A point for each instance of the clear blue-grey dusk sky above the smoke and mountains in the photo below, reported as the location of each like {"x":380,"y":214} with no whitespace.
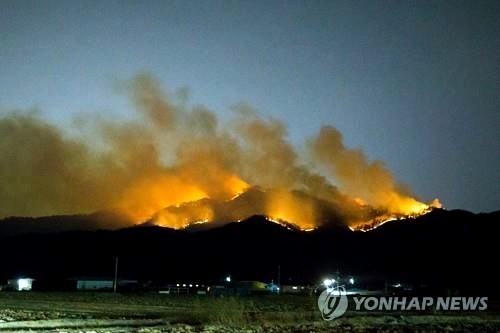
{"x":415,"y":84}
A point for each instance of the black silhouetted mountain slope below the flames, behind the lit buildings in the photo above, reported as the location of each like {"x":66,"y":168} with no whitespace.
{"x":441,"y":248}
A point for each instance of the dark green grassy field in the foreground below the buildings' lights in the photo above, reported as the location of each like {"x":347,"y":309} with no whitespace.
{"x":150,"y":312}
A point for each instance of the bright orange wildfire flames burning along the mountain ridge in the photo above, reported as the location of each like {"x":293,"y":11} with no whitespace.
{"x":288,"y":209}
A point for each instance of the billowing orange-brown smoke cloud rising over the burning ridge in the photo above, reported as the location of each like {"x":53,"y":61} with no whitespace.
{"x":178,"y":165}
